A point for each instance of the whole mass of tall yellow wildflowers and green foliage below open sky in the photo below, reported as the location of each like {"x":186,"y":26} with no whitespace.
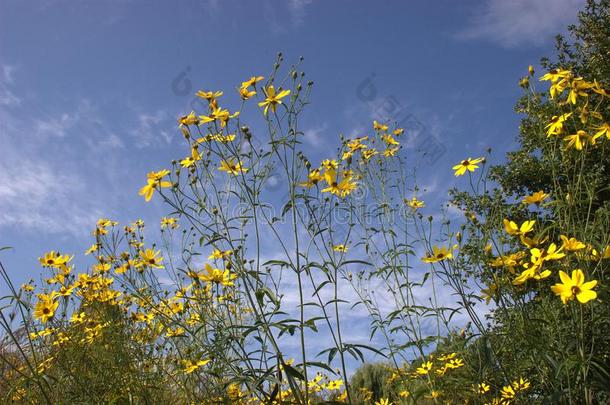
{"x":244,"y":273}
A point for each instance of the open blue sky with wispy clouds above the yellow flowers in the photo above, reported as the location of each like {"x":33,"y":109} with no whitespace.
{"x":90,"y":91}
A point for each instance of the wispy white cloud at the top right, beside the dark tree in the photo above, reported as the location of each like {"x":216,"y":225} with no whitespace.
{"x":521,"y":22}
